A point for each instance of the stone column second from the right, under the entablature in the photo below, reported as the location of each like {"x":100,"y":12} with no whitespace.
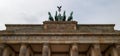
{"x":95,"y":50}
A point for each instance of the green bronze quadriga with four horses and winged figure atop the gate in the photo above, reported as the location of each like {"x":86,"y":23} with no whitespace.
{"x":59,"y":17}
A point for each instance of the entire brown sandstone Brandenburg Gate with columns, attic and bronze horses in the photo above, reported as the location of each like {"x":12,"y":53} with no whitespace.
{"x":58,"y":37}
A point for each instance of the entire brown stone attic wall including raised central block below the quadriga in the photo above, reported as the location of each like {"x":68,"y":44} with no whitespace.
{"x":63,"y":26}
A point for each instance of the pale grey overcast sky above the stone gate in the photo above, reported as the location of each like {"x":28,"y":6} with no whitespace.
{"x":36,"y":11}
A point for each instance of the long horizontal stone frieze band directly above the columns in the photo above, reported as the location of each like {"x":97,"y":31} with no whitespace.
{"x":60,"y":39}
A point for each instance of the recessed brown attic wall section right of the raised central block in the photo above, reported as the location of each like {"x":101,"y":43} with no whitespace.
{"x":96,"y":27}
